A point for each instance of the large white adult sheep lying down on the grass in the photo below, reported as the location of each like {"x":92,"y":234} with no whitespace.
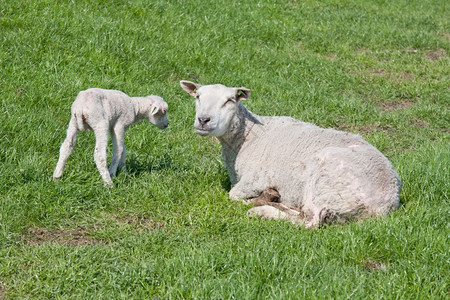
{"x":291,"y":169}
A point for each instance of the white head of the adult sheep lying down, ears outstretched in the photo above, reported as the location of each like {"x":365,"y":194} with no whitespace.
{"x":215,"y":107}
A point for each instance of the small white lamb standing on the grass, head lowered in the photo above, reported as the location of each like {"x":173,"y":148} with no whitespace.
{"x":105,"y":111}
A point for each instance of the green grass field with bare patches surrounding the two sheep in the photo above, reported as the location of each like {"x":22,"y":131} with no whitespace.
{"x":167,"y":230}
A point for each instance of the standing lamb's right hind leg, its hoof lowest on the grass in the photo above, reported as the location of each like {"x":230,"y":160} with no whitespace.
{"x":101,"y":142}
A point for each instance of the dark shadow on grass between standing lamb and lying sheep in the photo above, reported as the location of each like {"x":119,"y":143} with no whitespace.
{"x":138,"y":165}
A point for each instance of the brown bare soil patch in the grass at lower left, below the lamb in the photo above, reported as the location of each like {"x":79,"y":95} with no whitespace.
{"x":75,"y":237}
